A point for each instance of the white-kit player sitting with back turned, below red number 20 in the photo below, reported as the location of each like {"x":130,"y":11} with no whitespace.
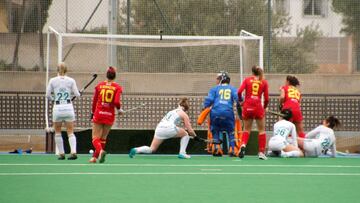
{"x":284,"y":140}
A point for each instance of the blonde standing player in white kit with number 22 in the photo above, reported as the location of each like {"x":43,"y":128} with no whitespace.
{"x":63,"y":87}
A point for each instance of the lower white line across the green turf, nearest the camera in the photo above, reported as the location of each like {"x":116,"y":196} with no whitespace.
{"x":184,"y":173}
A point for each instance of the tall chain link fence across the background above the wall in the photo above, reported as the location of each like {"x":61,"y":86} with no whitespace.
{"x":300,"y":36}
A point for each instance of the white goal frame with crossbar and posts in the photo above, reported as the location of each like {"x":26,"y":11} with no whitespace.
{"x":241,"y":43}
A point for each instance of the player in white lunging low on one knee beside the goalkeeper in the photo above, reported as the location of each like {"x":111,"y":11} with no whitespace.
{"x":169,"y":128}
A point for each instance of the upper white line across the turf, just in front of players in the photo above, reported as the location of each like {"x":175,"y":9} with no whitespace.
{"x":186,"y":165}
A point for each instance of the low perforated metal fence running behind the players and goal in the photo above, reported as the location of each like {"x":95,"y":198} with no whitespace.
{"x":25,"y":110}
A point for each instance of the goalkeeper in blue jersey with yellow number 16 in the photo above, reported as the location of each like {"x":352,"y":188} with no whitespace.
{"x":221,"y":99}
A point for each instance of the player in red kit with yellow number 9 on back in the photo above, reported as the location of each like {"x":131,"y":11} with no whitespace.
{"x":255,"y":86}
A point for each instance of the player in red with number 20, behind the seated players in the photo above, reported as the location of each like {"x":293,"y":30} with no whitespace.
{"x":290,"y":98}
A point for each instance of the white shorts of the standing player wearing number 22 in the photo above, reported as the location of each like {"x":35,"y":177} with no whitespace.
{"x":63,"y":112}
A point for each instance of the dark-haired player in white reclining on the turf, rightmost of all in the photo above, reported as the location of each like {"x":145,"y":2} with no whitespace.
{"x":321,"y":139}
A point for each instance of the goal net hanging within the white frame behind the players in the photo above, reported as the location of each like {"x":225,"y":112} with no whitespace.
{"x":155,"y":64}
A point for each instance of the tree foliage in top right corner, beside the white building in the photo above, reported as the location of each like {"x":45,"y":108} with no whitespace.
{"x":350,"y":10}
